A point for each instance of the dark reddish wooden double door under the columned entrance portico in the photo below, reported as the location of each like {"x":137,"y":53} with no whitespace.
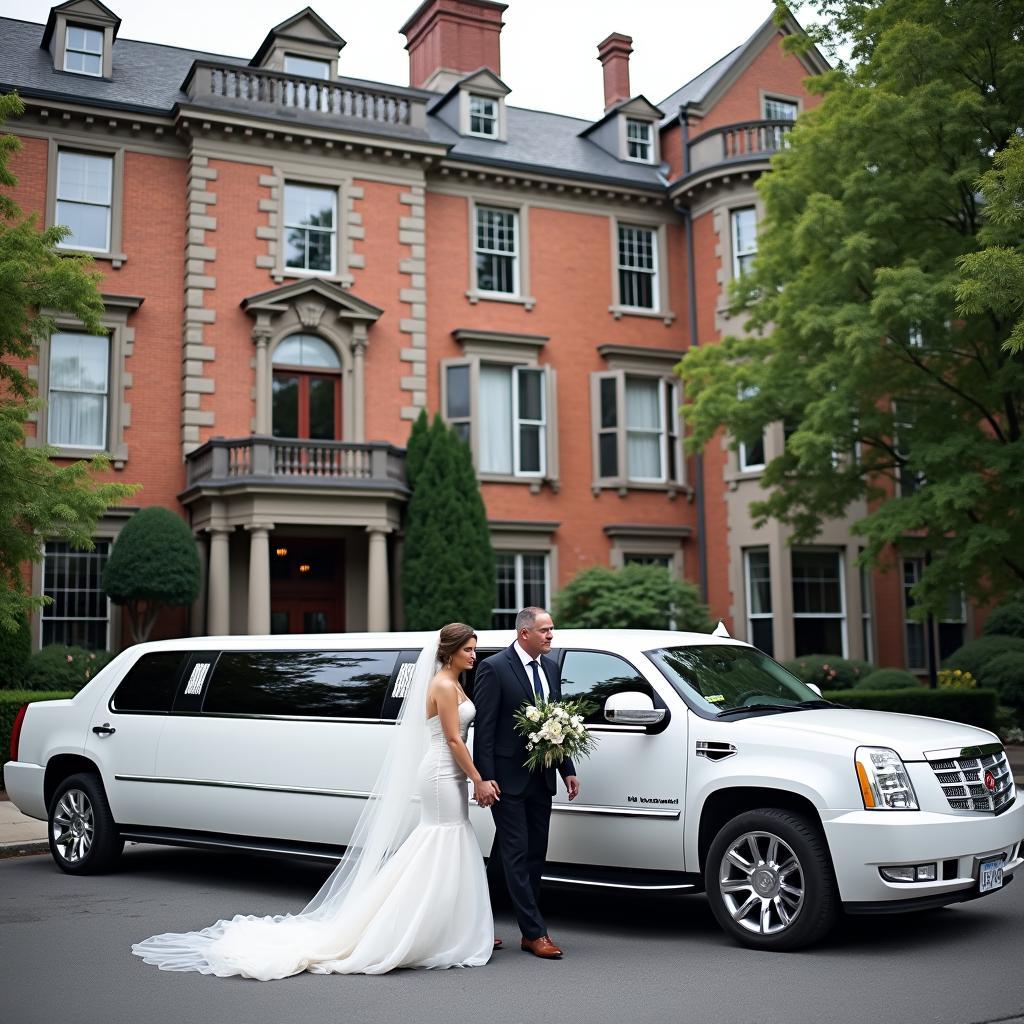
{"x":308,"y":586}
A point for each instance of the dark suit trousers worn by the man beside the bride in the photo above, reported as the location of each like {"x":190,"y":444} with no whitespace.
{"x":522,"y":839}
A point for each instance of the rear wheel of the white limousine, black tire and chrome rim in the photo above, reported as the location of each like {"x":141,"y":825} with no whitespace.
{"x":83,"y":835}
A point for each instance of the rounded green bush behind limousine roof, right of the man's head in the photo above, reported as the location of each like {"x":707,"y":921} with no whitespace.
{"x":636,"y":598}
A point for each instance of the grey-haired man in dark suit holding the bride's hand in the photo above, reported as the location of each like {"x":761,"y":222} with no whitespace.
{"x":504,"y":684}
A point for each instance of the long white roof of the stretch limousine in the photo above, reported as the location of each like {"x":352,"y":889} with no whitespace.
{"x":612,"y":641}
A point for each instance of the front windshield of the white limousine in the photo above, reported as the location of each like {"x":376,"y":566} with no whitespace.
{"x":724,"y":678}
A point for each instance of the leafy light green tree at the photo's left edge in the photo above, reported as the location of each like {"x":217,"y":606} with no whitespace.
{"x":38,"y":498}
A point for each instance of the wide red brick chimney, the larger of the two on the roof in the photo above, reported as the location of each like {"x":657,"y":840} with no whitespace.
{"x":447,"y":39}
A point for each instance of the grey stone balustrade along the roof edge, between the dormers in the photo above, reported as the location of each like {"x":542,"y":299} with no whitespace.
{"x":277,"y":93}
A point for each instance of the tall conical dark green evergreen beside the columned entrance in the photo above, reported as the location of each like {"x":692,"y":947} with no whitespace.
{"x":448,"y":572}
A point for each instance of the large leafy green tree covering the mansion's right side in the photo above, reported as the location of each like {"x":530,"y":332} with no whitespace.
{"x":887,"y":394}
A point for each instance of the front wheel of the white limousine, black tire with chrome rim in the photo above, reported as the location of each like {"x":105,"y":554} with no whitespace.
{"x":789,"y":893}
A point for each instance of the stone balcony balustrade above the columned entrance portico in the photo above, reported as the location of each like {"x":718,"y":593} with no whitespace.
{"x":295,"y":462}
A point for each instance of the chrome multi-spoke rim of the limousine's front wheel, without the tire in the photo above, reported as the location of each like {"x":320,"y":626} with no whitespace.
{"x":762,"y":883}
